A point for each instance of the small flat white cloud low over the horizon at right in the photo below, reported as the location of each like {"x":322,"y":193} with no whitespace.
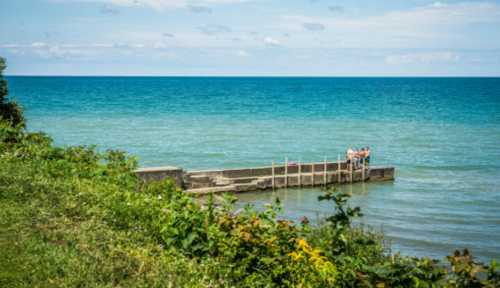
{"x":423,"y":58}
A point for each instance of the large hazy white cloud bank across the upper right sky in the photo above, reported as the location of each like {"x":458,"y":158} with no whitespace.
{"x":434,"y":26}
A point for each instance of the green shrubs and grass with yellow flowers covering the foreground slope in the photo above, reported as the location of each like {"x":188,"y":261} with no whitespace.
{"x":73,"y":217}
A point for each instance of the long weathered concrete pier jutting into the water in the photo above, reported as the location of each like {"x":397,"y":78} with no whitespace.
{"x":271,"y":177}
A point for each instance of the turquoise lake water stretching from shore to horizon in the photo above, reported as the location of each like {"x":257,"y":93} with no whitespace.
{"x":442,"y":135}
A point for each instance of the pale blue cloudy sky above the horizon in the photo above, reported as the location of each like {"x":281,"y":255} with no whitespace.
{"x":251,"y":37}
